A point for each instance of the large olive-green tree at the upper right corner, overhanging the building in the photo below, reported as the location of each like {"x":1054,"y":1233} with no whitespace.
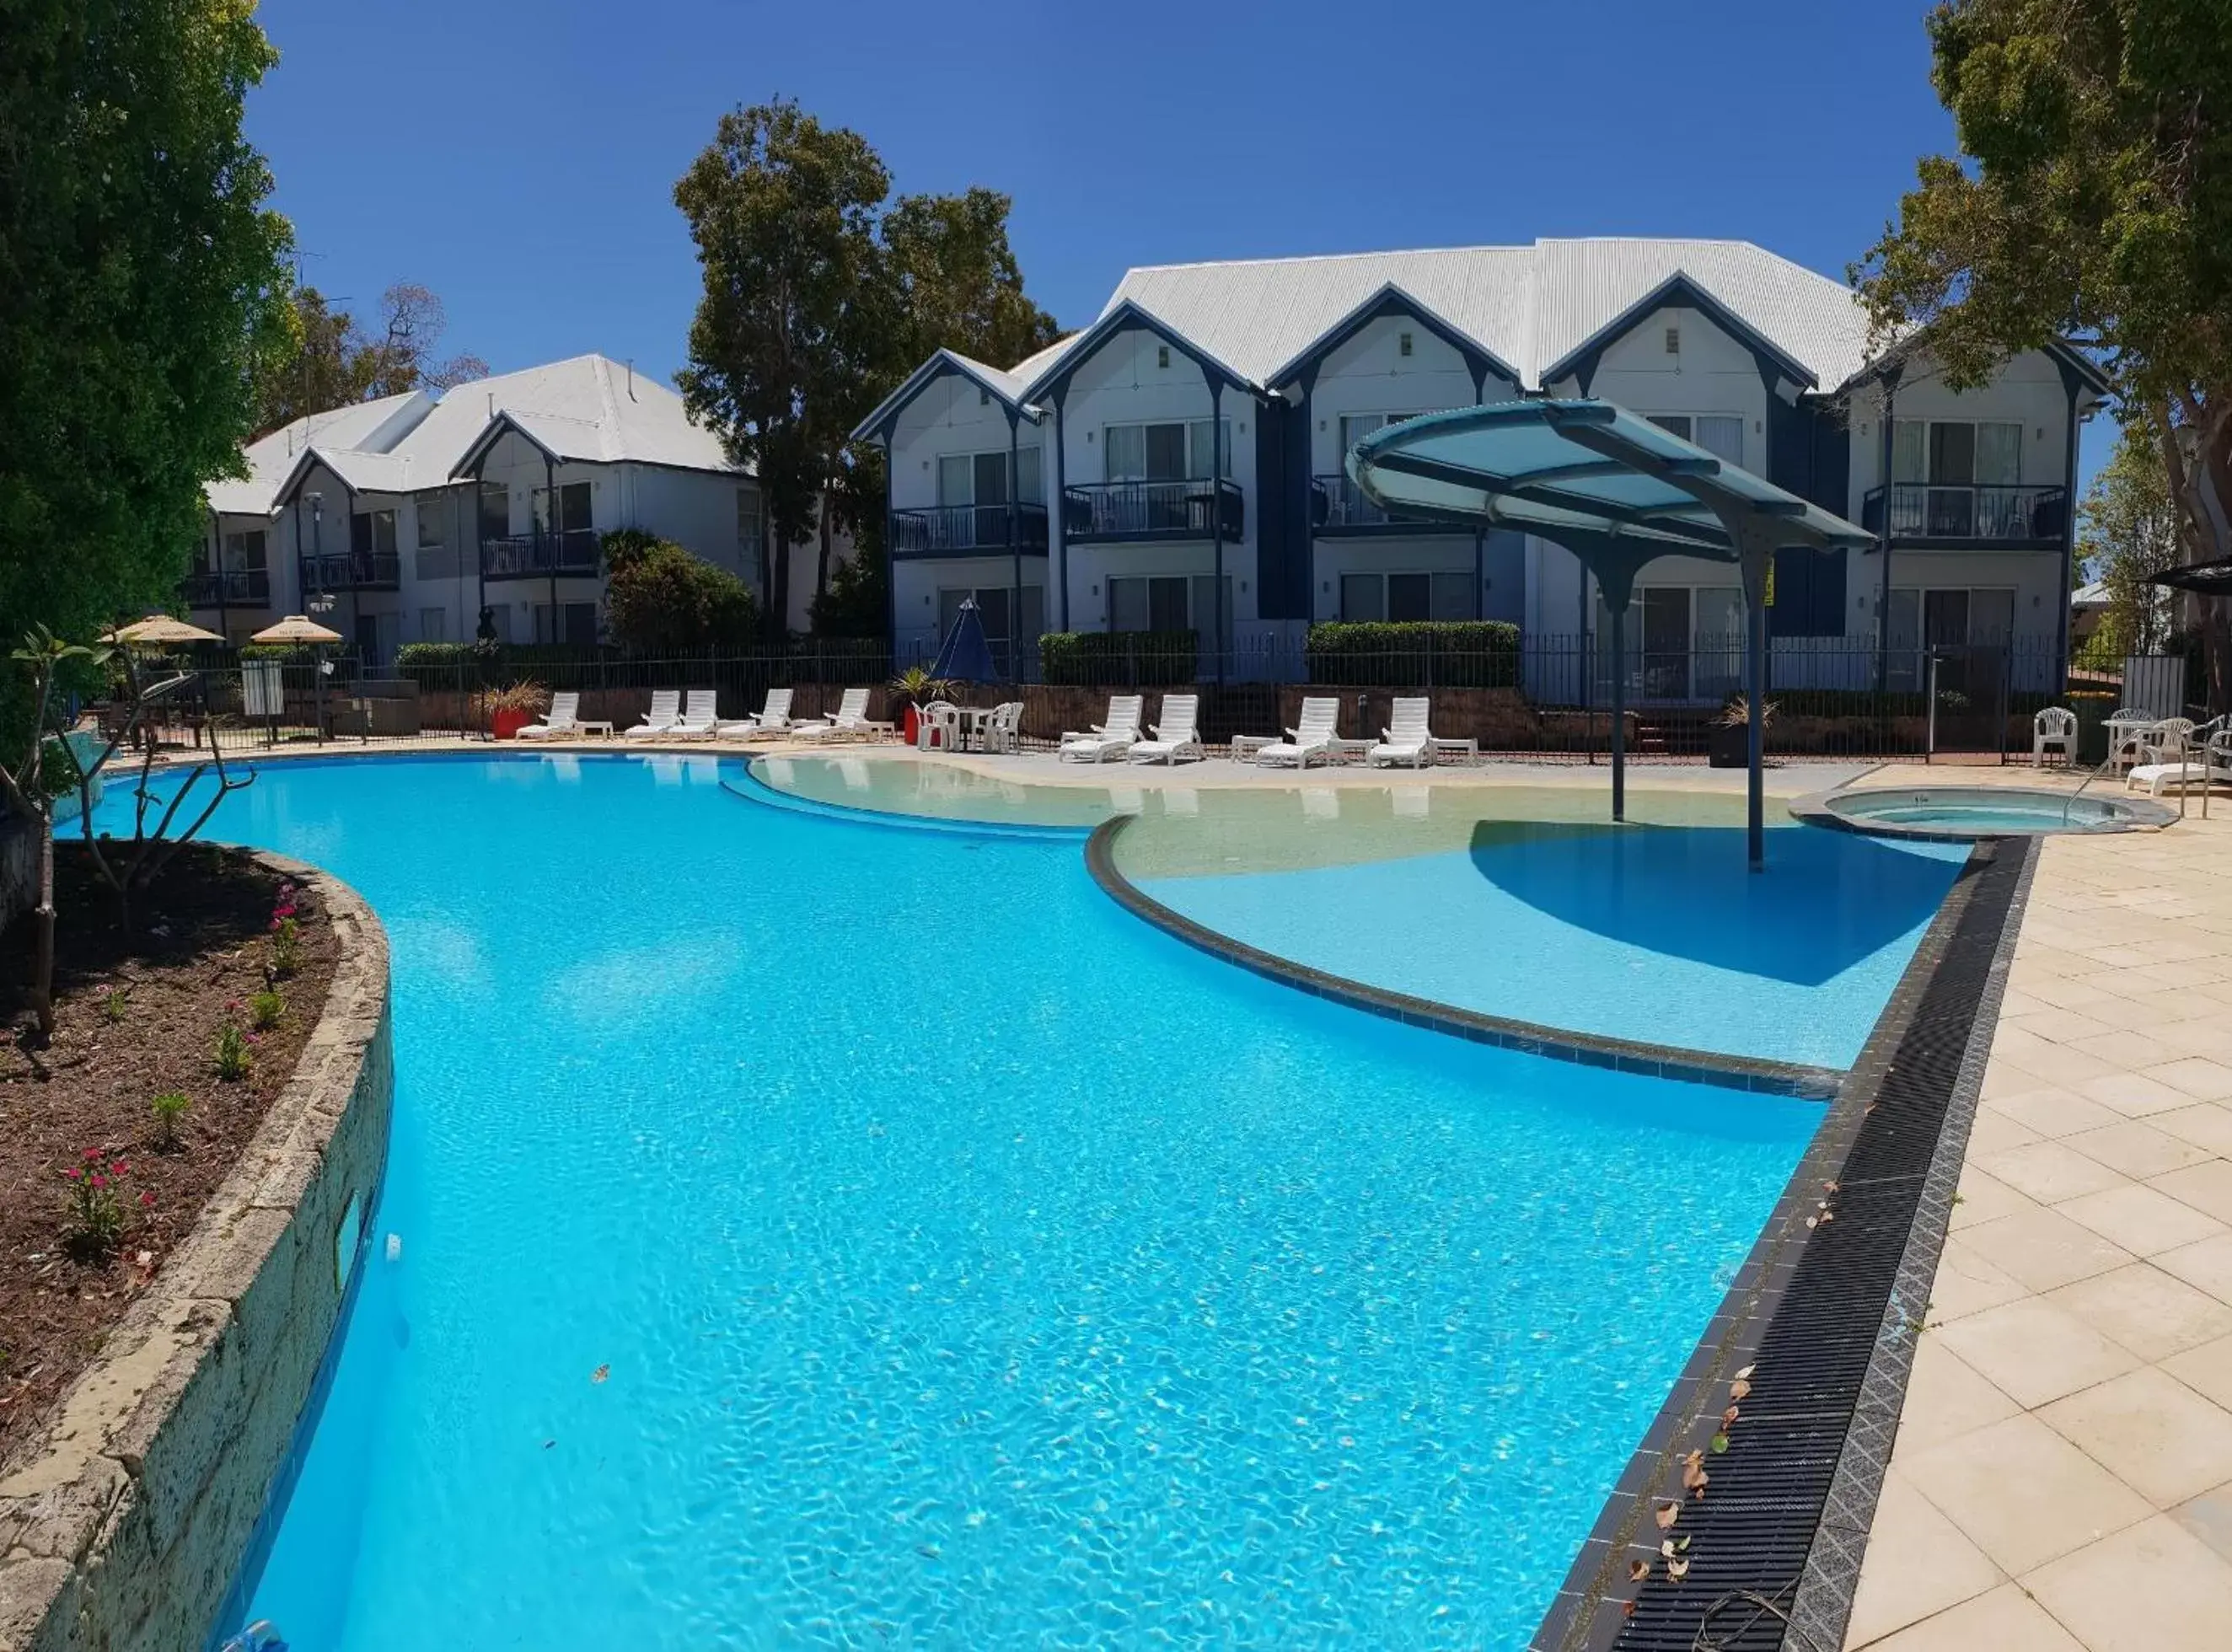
{"x":2092,"y":200}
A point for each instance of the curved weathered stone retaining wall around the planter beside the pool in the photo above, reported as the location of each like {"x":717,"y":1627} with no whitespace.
{"x":124,"y":1524}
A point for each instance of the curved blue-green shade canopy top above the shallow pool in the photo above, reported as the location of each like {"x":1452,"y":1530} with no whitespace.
{"x":1586,"y":472}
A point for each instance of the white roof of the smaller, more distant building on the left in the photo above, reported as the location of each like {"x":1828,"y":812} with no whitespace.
{"x":581,"y":410}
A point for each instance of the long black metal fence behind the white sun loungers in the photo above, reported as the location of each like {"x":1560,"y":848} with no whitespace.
{"x":1543,"y":700}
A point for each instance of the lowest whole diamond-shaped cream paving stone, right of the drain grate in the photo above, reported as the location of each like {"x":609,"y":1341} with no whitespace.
{"x":2023,"y":1495}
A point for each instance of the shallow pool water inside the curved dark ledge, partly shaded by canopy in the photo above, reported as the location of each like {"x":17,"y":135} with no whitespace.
{"x":1657,"y":934}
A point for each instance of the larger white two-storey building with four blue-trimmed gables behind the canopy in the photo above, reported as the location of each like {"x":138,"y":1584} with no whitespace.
{"x":1264,"y":374}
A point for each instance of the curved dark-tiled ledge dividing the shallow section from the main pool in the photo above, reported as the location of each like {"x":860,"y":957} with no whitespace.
{"x":1586,"y":1050}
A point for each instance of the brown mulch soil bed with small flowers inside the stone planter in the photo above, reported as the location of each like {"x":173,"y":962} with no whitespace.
{"x":137,"y":1015}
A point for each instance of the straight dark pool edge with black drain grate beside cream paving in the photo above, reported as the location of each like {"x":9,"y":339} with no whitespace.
{"x":1827,"y":1316}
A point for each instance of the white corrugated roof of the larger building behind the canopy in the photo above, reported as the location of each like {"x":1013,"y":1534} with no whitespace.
{"x":1526,"y":305}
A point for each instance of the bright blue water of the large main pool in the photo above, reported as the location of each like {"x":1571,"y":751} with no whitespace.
{"x":968,"y":1262}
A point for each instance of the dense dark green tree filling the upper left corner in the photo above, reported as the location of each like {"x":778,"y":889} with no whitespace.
{"x":142,"y":280}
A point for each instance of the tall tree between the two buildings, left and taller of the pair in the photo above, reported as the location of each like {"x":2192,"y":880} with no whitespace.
{"x":796,"y":316}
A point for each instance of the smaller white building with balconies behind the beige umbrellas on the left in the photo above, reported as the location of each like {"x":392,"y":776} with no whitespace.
{"x":403,"y":519}
